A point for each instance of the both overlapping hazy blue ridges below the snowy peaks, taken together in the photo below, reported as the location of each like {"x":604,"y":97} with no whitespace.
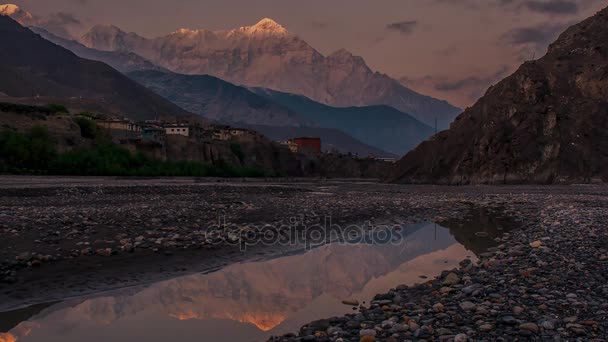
{"x":279,"y":115}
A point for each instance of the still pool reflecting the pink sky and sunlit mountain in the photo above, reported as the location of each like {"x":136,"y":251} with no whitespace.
{"x":251,"y":301}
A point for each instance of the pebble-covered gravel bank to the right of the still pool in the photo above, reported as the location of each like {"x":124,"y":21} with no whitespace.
{"x":546,"y":281}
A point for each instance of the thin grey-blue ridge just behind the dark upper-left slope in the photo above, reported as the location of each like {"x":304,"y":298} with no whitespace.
{"x":121,"y":61}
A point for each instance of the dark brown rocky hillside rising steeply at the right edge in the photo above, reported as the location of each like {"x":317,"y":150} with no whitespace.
{"x":546,"y":123}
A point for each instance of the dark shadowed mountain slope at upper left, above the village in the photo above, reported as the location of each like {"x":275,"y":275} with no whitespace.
{"x":32,"y":66}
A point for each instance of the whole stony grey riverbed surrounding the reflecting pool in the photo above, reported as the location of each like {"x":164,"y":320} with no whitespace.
{"x":546,"y":280}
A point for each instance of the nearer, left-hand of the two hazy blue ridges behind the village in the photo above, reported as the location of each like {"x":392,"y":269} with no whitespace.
{"x":224,"y":102}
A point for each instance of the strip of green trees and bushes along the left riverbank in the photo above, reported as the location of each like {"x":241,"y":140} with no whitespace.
{"x":35,"y":153}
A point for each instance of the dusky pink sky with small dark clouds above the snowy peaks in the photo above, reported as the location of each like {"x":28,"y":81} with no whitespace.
{"x":449,"y":49}
